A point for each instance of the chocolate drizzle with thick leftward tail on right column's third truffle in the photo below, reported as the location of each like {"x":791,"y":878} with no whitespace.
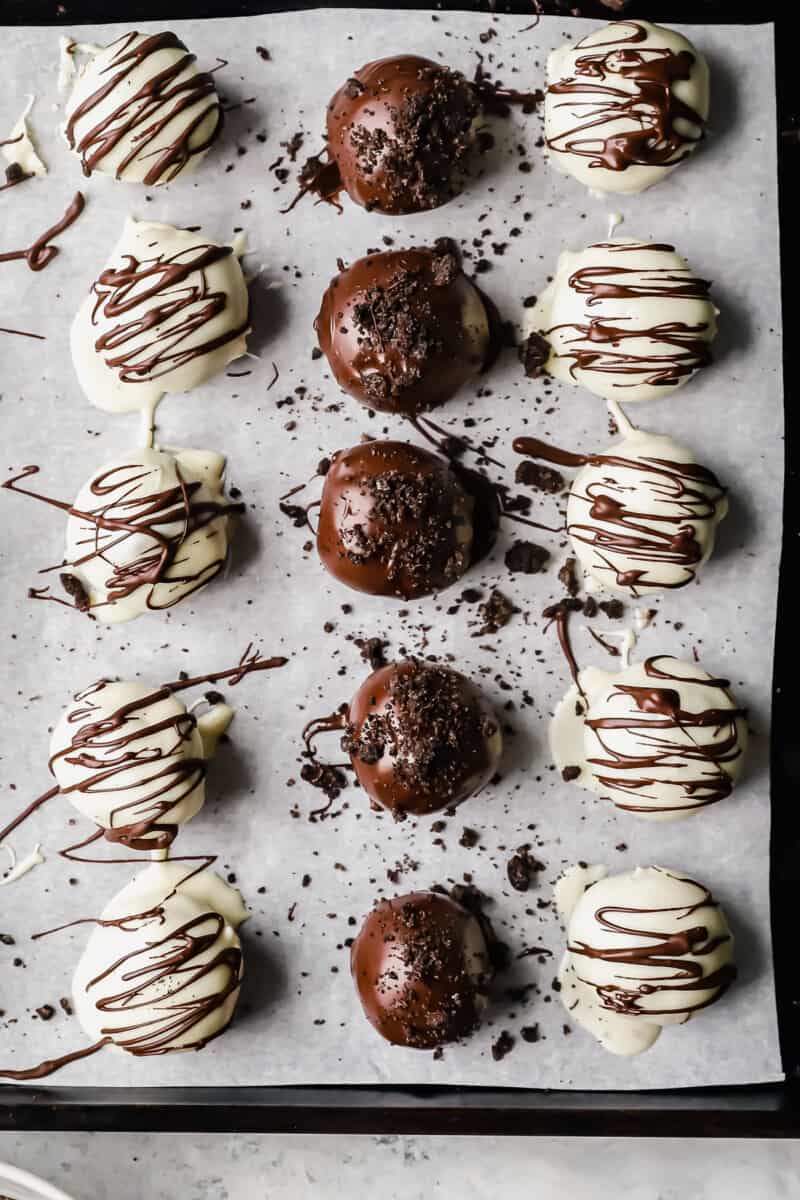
{"x":661,"y":548}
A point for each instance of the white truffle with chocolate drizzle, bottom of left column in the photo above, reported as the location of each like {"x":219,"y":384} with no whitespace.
{"x":164,"y":969}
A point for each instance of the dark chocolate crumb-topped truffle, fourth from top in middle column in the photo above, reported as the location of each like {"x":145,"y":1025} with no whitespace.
{"x":422,"y":737}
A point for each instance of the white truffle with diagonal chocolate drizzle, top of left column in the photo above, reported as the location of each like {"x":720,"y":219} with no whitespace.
{"x":142,"y":112}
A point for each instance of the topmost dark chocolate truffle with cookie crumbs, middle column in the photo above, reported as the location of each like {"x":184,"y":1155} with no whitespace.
{"x":400,"y":131}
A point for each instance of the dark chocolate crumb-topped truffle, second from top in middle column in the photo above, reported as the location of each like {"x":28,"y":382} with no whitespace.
{"x":404,"y":331}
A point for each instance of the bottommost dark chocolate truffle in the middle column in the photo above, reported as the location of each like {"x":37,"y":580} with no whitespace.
{"x":423,"y":970}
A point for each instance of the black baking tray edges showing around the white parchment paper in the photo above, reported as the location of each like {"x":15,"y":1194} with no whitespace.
{"x":719,"y":1112}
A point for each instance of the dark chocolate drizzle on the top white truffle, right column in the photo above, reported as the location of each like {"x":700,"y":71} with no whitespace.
{"x":643,"y":124}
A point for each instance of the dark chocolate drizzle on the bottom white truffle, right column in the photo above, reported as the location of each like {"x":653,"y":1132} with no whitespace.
{"x":670,"y":953}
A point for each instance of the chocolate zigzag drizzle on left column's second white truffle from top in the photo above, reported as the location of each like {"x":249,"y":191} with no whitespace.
{"x":166,"y":297}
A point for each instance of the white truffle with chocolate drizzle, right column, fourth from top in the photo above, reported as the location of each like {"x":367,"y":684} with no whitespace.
{"x":661,"y":739}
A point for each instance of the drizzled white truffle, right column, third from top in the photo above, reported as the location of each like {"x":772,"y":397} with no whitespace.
{"x":643,"y":515}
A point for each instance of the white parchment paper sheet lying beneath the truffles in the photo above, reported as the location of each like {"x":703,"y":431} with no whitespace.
{"x":299,"y":1019}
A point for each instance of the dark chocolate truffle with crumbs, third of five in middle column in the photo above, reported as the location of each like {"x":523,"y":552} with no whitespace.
{"x":394,"y":521}
